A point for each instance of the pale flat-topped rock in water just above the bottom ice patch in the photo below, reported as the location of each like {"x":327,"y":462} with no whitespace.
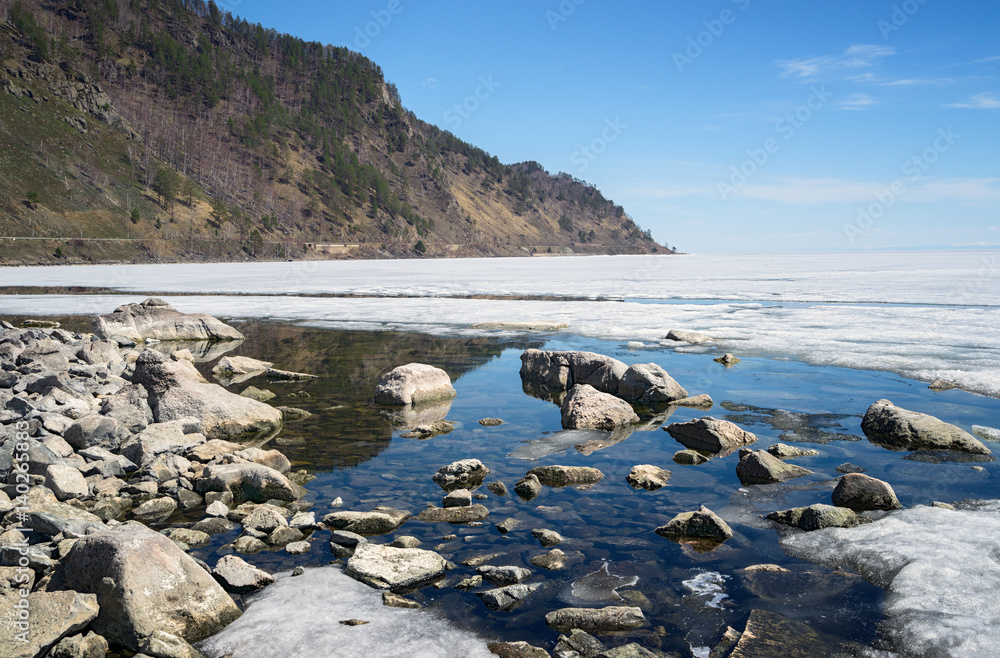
{"x":388,"y":567}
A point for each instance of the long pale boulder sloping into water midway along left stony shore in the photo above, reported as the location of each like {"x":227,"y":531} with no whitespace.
{"x":177,"y":390}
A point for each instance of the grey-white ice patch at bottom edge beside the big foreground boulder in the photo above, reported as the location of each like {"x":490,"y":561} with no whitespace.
{"x":300,"y":617}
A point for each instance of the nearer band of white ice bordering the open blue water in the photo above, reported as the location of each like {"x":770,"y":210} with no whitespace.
{"x":959,"y":344}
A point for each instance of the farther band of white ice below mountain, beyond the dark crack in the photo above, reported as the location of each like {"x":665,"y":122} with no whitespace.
{"x":966,"y":277}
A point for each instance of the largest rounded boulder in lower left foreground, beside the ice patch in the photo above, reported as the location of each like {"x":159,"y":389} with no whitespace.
{"x":144,"y":583}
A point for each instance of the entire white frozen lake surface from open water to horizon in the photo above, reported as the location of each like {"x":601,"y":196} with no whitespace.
{"x":926,"y":316}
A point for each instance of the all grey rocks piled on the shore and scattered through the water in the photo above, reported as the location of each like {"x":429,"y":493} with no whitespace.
{"x":106,"y":433}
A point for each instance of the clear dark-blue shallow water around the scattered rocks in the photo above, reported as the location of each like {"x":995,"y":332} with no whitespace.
{"x":688,"y":597}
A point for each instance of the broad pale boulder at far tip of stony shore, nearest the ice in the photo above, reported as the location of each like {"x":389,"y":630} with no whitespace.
{"x":156,"y":319}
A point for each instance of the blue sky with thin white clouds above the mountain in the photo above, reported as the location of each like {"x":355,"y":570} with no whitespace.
{"x":723,"y":126}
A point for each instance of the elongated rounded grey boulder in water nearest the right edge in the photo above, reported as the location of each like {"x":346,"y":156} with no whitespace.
{"x":895,"y":428}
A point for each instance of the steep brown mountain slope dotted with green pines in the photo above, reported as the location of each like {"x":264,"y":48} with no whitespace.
{"x":167,"y":129}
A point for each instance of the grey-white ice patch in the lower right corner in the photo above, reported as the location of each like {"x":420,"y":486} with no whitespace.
{"x":940,"y":568}
